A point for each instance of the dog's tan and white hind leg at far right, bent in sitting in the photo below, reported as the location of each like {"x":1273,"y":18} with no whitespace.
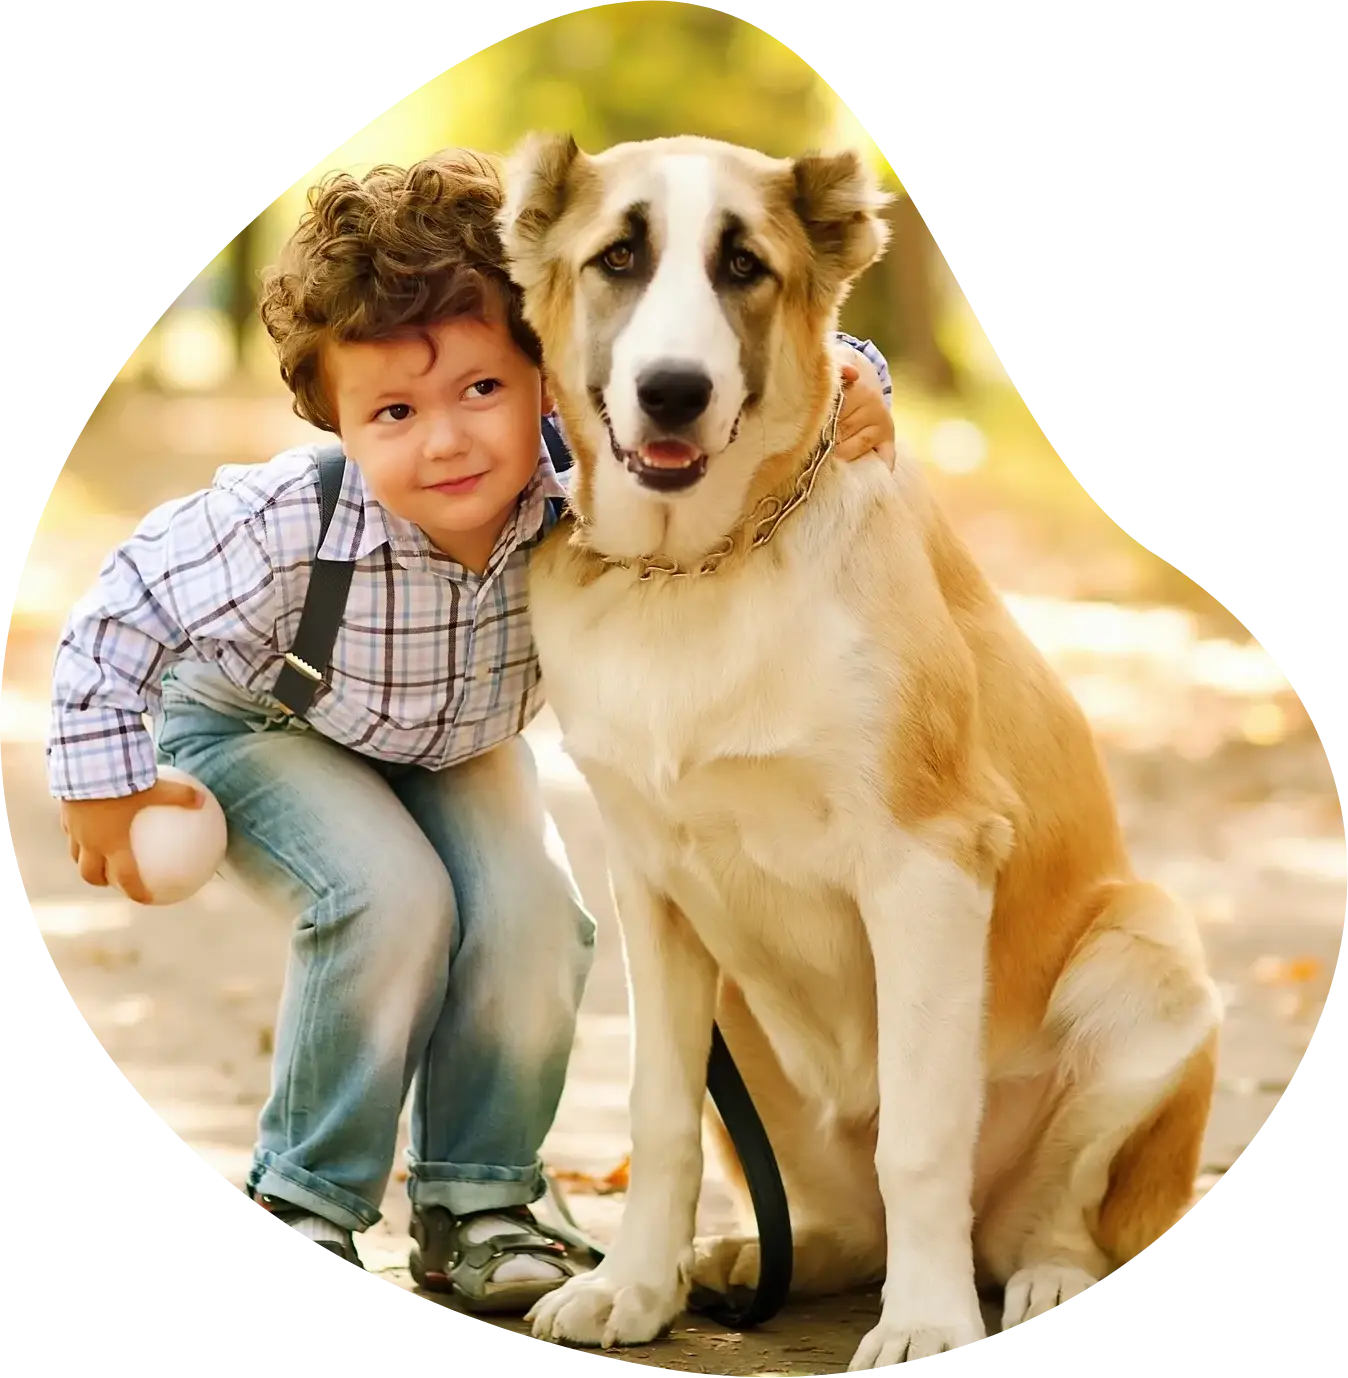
{"x":1135,"y":1023}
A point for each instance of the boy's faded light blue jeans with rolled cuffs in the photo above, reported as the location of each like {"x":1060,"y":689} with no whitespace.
{"x":438,"y":939}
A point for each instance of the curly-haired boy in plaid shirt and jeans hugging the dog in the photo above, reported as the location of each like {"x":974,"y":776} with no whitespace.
{"x":439,"y":938}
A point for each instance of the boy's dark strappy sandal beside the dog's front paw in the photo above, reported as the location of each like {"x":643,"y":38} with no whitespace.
{"x":445,"y":1262}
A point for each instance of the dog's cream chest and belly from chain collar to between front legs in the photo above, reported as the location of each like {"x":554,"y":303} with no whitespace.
{"x":728,"y":759}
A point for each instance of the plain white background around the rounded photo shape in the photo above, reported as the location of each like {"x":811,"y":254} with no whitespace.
{"x":1114,"y":227}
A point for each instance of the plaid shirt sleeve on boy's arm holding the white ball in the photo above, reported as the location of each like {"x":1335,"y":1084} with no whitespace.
{"x":195,"y":571}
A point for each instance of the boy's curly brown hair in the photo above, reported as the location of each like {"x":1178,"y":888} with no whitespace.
{"x":396,"y":251}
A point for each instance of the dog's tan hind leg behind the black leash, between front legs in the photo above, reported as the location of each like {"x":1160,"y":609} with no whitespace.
{"x":837,"y":1213}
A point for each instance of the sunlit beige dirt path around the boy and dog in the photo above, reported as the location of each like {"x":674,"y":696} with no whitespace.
{"x":181,"y":1001}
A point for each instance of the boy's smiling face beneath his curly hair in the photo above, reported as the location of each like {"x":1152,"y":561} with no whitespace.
{"x":451,"y":444}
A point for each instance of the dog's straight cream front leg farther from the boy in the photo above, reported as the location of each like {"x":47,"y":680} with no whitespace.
{"x":927,"y":920}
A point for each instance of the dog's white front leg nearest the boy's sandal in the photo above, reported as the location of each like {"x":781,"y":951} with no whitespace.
{"x":643,"y":1282}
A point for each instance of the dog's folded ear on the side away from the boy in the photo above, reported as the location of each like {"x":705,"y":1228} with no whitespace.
{"x":839,"y":200}
